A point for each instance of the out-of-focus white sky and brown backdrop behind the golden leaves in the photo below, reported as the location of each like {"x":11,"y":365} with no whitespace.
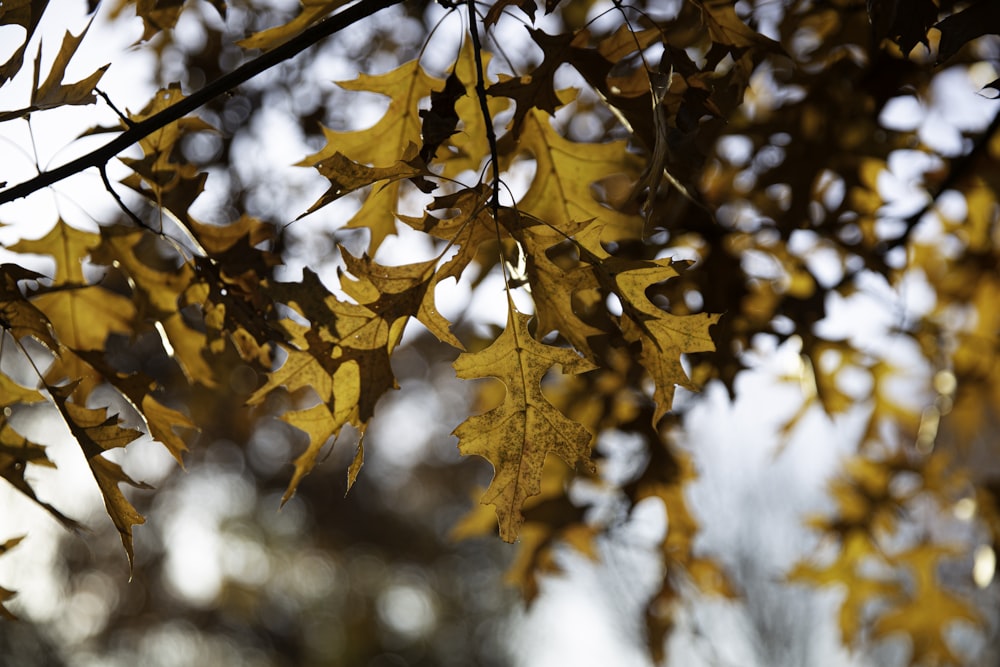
{"x":377,"y":578}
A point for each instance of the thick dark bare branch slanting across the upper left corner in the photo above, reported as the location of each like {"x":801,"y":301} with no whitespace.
{"x":223,"y":84}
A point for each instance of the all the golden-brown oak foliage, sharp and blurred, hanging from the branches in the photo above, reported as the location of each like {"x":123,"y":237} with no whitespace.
{"x":599,"y":223}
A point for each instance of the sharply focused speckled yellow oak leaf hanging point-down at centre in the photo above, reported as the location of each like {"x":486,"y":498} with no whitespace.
{"x":517,"y":435}
